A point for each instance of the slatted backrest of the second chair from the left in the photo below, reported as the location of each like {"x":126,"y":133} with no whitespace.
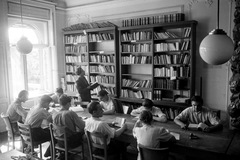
{"x":26,"y":134}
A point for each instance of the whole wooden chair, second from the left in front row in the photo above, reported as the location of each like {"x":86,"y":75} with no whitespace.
{"x":26,"y":136}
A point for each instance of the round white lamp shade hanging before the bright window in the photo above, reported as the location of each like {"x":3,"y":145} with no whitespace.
{"x":24,"y":46}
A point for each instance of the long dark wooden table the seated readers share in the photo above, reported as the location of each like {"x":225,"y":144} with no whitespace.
{"x":209,"y":145}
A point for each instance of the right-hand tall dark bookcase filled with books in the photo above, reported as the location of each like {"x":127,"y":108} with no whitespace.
{"x":158,"y":62}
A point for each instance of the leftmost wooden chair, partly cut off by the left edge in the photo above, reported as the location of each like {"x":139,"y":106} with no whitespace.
{"x":12,"y":136}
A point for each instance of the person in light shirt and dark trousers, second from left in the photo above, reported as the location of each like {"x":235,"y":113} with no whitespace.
{"x":35,"y":118}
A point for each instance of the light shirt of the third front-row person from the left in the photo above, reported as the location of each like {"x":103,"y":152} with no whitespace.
{"x":69,"y":119}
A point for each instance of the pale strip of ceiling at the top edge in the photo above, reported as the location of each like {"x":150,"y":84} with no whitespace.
{"x":74,"y":3}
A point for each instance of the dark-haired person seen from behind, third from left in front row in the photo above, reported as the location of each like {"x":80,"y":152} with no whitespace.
{"x":70,"y":119}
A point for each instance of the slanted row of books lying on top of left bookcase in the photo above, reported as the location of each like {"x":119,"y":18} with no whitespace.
{"x":85,"y":26}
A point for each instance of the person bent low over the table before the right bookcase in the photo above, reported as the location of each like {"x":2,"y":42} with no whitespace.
{"x":156,"y":112}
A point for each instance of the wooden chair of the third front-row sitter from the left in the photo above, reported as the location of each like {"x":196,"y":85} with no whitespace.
{"x":78,"y":150}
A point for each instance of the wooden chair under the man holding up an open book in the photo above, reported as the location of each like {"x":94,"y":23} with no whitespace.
{"x":92,"y":146}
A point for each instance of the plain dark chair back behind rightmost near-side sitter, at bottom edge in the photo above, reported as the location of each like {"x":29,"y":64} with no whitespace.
{"x":148,"y":153}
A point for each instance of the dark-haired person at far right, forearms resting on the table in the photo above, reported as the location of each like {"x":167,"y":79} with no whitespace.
{"x":198,"y":114}
